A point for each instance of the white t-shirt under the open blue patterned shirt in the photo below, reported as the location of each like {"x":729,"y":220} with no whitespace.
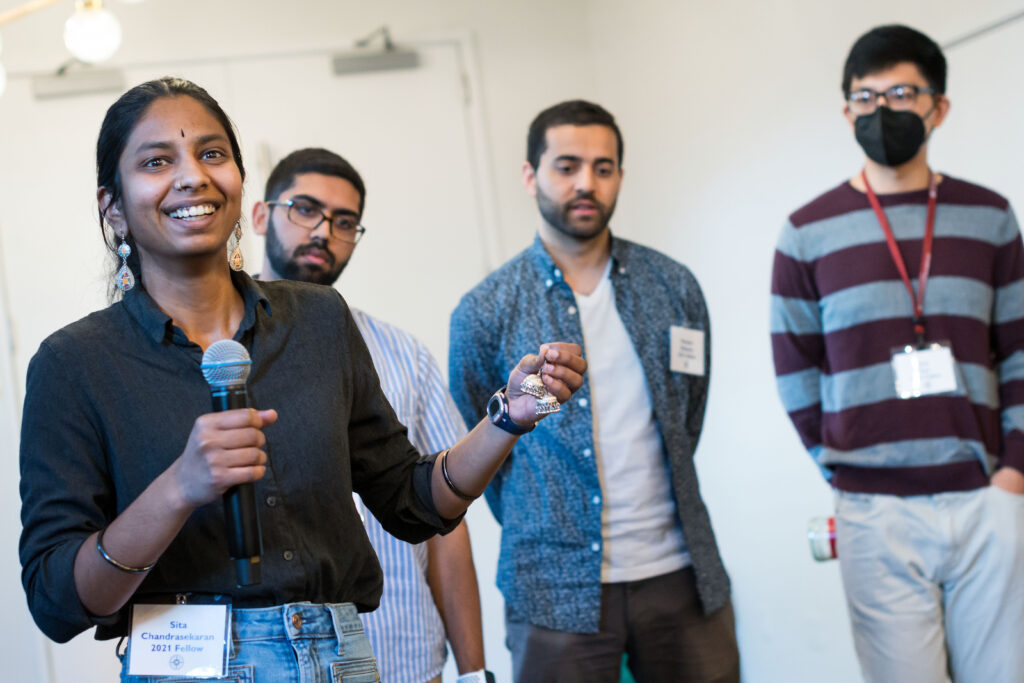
{"x":639,"y":525}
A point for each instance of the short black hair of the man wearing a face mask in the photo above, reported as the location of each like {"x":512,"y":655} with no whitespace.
{"x":887,"y":47}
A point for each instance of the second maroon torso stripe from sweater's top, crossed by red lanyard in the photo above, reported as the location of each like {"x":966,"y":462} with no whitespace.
{"x":872,"y":263}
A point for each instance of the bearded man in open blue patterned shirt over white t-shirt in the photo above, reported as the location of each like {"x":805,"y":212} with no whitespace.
{"x":607,"y":546}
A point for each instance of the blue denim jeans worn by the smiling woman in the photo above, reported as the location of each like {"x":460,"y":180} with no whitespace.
{"x":300,"y":643}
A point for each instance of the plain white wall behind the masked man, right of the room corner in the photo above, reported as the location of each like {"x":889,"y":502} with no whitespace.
{"x":732,"y":113}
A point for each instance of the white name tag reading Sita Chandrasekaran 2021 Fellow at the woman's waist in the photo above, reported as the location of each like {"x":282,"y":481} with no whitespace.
{"x":179,"y":641}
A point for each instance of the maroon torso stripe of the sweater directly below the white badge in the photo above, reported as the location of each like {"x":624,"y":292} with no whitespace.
{"x":897,"y":420}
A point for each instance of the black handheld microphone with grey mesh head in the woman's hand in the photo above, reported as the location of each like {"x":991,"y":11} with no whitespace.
{"x":226,"y":367}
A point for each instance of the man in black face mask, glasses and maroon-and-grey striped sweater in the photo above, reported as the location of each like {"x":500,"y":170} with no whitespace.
{"x":913,"y":406}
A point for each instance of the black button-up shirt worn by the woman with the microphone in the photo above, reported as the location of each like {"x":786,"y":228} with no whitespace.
{"x":111,"y":401}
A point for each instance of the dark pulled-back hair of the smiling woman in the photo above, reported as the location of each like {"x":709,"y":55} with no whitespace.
{"x":118,"y":125}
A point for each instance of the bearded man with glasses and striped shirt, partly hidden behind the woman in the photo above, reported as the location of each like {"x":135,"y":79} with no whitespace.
{"x":311,"y":217}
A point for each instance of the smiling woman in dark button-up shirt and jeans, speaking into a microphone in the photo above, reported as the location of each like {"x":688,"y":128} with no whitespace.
{"x":122,"y":479}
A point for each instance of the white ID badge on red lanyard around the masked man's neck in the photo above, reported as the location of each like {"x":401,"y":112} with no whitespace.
{"x":927,"y":368}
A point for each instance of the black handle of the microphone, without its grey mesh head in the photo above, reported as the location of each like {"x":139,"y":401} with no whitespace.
{"x":241,"y":514}
